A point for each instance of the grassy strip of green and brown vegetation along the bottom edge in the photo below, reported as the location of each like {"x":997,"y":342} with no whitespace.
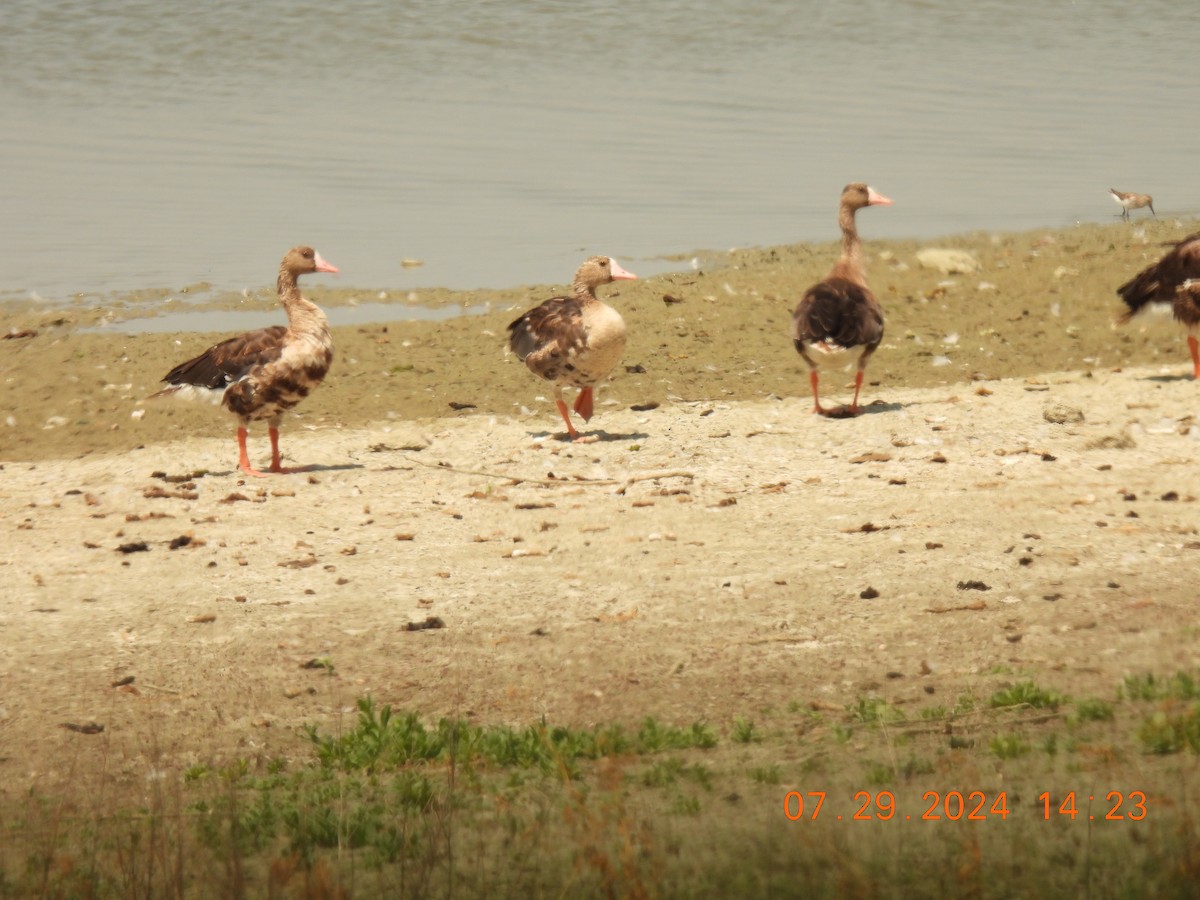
{"x":398,"y":806}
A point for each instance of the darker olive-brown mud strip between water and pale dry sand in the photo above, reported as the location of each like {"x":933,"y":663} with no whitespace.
{"x":1040,"y":302}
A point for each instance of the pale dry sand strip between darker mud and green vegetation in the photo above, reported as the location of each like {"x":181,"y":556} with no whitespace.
{"x":699,"y":559}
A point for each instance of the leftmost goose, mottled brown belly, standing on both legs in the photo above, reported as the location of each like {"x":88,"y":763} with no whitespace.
{"x":261,"y":375}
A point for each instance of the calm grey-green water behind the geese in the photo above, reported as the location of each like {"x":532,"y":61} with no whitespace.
{"x":157,"y":146}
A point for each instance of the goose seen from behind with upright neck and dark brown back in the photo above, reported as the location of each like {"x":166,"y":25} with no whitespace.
{"x":841,"y":313}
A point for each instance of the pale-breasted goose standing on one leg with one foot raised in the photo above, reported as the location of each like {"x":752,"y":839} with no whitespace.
{"x":574,"y":340}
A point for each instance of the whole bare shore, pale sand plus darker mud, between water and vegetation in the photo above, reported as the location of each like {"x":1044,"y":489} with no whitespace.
{"x":1029,"y":505}
